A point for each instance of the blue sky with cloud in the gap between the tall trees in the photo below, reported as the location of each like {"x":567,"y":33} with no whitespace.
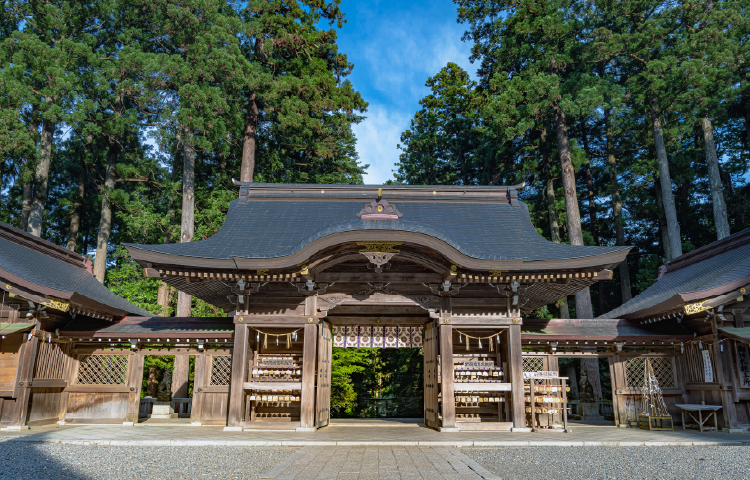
{"x":395,"y":47}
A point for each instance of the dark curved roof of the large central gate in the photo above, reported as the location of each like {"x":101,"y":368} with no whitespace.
{"x":487,"y":229}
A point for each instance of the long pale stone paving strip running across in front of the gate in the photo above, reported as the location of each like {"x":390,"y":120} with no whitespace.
{"x":348,"y":436}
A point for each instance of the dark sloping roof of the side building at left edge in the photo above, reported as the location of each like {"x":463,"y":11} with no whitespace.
{"x":43,"y":264}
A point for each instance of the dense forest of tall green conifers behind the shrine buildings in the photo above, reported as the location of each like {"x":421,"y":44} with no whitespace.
{"x":125,"y":120}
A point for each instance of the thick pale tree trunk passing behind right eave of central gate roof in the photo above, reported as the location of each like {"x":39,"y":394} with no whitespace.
{"x":583,"y":298}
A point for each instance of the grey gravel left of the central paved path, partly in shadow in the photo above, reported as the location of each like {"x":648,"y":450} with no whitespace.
{"x":26,"y":460}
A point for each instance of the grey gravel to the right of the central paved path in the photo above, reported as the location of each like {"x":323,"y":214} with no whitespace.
{"x":614,"y":462}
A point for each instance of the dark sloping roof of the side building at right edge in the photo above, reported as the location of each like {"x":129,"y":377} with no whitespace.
{"x":721,"y":263}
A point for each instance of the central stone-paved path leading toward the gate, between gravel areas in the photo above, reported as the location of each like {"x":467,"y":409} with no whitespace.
{"x":378,"y":463}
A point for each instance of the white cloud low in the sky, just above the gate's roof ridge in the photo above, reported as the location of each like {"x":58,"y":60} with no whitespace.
{"x":377,"y":138}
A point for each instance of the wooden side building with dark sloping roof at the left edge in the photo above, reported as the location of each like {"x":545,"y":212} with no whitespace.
{"x":44,"y":289}
